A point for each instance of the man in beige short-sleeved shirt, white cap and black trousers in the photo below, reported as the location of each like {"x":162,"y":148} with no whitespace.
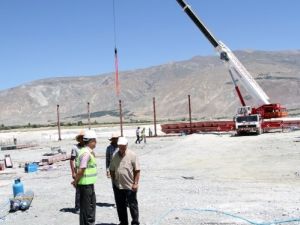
{"x":125,"y":173}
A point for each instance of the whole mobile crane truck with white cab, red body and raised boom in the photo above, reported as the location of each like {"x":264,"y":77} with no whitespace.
{"x":251,"y":120}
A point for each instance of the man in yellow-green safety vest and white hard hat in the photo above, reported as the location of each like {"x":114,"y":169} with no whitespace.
{"x":86,"y":178}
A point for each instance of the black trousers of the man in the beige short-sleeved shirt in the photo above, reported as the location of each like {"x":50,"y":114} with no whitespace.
{"x":124,"y":198}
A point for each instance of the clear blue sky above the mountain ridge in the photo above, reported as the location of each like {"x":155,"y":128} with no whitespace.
{"x":57,"y":38}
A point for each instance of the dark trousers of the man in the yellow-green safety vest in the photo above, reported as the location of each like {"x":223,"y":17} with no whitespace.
{"x":87,"y":204}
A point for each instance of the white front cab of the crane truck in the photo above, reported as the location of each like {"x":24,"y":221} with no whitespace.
{"x":246,"y":122}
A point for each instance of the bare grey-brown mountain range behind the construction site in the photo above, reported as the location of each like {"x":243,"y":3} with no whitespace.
{"x":205,"y":78}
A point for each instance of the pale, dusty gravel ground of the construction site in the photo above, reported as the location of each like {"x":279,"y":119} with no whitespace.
{"x":255,"y":178}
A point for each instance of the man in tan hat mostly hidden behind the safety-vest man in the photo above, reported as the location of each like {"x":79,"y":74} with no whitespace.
{"x":74,"y":165}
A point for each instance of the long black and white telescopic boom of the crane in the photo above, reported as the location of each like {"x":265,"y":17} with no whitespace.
{"x":235,"y":67}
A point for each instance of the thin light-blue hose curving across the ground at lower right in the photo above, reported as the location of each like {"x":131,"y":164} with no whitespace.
{"x":275,"y":222}
